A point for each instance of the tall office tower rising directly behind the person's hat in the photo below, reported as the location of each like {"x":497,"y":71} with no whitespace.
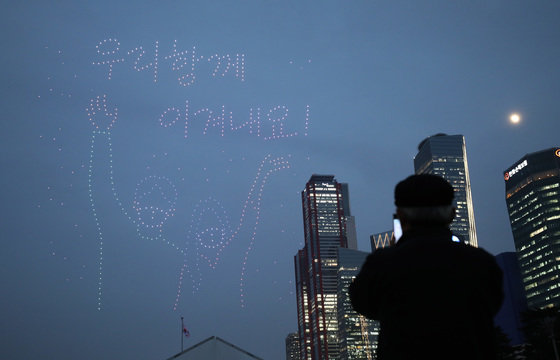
{"x":446,"y":156}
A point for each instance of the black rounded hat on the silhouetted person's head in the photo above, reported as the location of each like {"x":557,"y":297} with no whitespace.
{"x":423,"y":190}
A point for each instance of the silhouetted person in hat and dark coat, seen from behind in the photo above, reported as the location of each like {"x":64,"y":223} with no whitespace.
{"x":434,"y":298}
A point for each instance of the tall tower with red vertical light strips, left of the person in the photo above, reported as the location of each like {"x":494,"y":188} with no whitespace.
{"x":325,"y":210}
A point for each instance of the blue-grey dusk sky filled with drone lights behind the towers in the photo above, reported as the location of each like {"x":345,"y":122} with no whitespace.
{"x":153,"y":152}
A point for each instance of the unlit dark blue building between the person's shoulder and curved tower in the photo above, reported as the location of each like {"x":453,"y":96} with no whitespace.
{"x":509,"y":316}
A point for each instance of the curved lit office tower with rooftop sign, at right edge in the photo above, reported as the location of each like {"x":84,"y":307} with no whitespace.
{"x":533,"y":202}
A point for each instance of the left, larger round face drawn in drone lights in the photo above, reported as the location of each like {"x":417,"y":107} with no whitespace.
{"x":154,"y":202}
